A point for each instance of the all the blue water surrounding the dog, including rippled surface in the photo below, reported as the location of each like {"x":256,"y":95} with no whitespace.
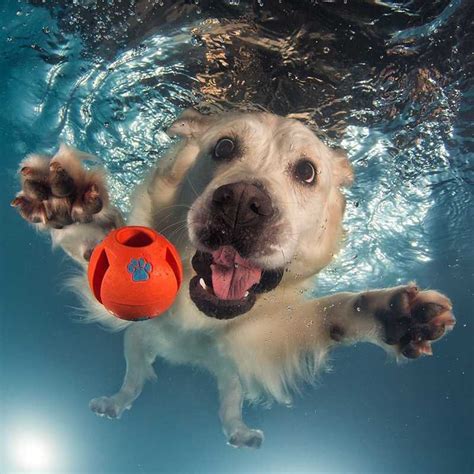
{"x":392,"y":84}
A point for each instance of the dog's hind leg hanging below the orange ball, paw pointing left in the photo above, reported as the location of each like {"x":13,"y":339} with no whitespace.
{"x":139,"y":355}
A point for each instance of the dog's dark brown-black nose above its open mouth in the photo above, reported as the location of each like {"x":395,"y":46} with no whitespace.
{"x":242,"y":204}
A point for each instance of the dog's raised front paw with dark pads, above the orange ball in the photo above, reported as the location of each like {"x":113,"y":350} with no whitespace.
{"x":61,"y":196}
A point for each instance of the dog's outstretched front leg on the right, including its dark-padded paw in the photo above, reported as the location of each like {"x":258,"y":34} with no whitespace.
{"x":402,"y":320}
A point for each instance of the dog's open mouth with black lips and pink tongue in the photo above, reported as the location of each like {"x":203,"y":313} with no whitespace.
{"x":226,"y":285}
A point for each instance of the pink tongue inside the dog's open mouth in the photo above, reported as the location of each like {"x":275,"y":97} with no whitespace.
{"x":232,"y":275}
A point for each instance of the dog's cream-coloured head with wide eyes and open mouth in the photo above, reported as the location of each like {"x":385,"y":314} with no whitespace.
{"x":264,"y":197}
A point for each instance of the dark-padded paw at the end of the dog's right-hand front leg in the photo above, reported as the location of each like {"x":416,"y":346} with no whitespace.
{"x":412,"y":319}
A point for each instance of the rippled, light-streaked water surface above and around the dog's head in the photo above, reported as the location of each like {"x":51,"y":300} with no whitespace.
{"x":388,"y":83}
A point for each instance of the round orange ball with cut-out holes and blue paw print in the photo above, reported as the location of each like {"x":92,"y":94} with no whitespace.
{"x":135,"y":273}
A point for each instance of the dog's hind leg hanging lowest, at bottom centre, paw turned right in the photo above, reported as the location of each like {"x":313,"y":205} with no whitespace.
{"x":230,"y":413}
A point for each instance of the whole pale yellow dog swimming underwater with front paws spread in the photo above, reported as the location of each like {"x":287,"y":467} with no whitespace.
{"x":253,"y":203}
